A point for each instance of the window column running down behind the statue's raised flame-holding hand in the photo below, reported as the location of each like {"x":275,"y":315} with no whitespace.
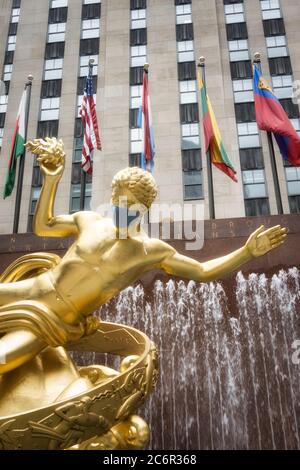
{"x":50,"y":89}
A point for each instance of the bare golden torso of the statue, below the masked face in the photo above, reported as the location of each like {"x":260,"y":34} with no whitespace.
{"x":99,"y":265}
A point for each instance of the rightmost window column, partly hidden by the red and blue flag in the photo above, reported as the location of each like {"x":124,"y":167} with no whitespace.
{"x":282,"y":80}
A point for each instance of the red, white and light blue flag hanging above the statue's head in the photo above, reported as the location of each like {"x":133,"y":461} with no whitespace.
{"x":145,"y":123}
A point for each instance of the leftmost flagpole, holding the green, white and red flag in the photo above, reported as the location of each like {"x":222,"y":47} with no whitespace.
{"x":28,"y":87}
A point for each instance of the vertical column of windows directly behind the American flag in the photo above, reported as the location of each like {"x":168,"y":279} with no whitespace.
{"x":89,"y":49}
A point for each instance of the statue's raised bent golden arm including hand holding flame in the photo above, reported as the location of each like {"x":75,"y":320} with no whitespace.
{"x":51,"y":158}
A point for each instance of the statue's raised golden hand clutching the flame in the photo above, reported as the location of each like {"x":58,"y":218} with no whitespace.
{"x":51,"y":155}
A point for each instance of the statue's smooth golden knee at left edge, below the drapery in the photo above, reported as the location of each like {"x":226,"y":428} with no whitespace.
{"x":18,"y":347}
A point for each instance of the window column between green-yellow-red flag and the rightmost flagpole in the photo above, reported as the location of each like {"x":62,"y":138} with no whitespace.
{"x":251,"y":154}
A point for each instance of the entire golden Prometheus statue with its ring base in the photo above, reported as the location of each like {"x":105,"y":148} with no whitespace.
{"x":46,"y":307}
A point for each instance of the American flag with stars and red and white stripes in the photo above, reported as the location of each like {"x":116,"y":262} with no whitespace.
{"x":91,"y":138}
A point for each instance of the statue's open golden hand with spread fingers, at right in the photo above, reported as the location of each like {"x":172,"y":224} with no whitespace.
{"x":262,"y":241}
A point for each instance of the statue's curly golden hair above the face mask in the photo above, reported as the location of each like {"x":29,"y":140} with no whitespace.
{"x":139,"y":182}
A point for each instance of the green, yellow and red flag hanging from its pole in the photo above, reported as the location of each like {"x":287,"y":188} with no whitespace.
{"x":213,"y":140}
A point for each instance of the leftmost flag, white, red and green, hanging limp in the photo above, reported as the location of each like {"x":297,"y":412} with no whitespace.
{"x":17,"y":146}
